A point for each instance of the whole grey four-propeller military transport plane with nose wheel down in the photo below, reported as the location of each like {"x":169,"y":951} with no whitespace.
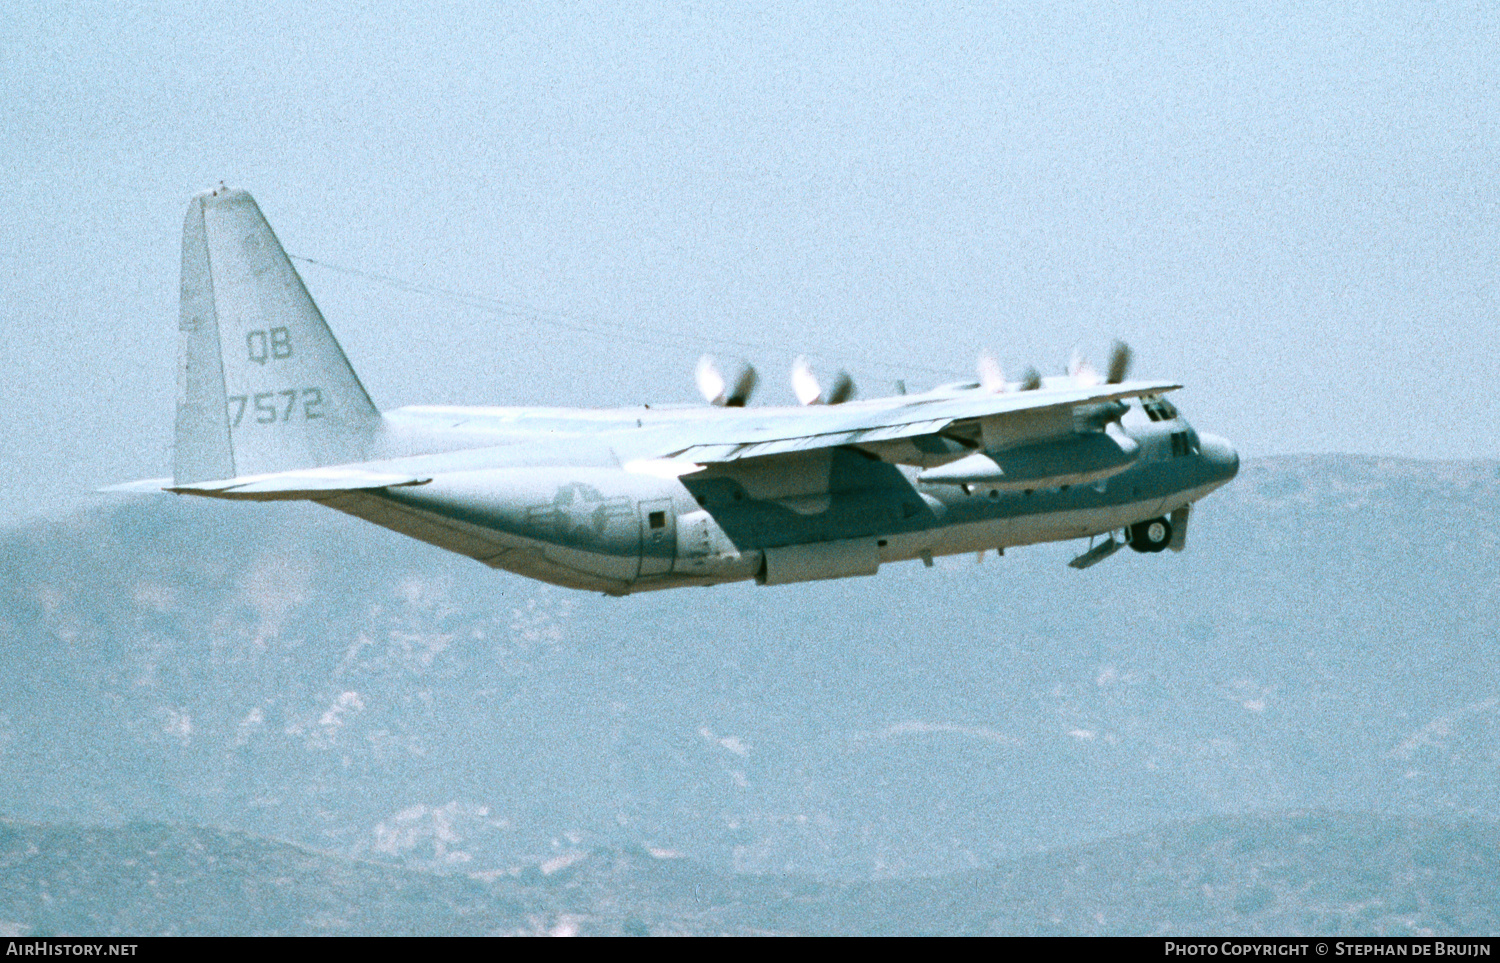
{"x":629,"y":500}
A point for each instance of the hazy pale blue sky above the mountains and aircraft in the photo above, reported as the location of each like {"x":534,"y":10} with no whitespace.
{"x":1294,"y":209}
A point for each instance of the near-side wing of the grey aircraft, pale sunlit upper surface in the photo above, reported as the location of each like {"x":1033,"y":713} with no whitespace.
{"x":1001,"y":419}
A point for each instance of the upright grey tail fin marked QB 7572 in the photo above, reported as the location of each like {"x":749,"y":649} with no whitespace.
{"x":262,"y":383}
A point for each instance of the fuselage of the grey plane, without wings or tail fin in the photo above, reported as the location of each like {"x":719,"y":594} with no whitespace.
{"x":575,"y":499}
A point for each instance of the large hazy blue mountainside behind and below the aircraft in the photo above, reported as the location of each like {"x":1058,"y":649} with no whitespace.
{"x":1328,"y":641}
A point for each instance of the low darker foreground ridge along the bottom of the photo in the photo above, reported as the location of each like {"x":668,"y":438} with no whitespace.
{"x":1301,"y":874}
